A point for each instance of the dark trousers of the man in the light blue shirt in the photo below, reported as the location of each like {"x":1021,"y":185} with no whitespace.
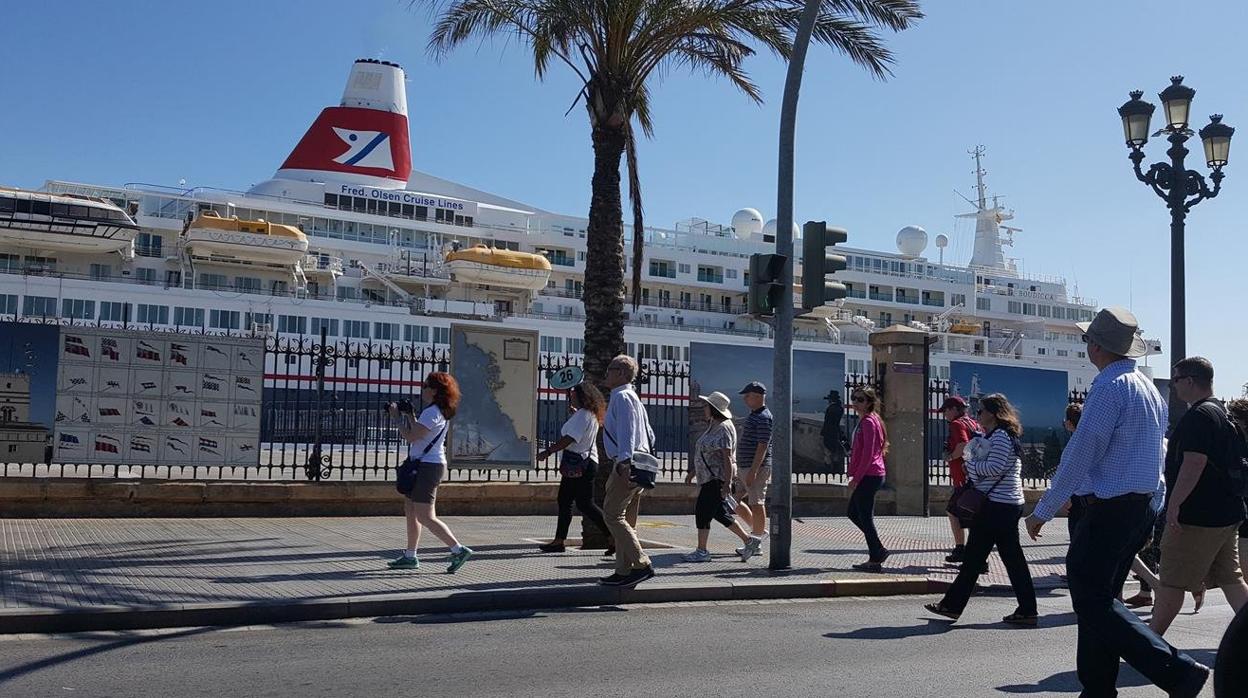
{"x":1109,"y":535}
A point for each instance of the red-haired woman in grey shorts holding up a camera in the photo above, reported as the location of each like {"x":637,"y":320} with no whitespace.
{"x":425,"y":469}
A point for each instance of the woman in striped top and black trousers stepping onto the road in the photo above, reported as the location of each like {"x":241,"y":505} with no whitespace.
{"x":995,"y":470}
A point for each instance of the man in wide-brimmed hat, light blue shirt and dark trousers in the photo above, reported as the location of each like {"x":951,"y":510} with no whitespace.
{"x":1114,"y":466}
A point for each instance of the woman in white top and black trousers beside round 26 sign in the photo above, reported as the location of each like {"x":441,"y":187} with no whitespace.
{"x":577,"y":441}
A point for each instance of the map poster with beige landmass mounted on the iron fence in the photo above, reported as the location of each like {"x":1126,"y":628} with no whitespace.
{"x":497,"y":370}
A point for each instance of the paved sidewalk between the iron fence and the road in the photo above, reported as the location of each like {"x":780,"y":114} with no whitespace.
{"x":73,"y":575}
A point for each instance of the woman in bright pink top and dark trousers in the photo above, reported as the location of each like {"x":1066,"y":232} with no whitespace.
{"x":867,"y":474}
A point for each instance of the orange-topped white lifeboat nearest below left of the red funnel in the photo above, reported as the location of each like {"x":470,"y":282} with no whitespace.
{"x":245,"y":242}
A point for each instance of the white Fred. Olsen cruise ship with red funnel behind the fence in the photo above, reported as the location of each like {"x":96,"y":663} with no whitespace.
{"x":348,"y":239}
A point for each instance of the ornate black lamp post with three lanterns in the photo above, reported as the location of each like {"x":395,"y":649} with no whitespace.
{"x":1179,"y":187}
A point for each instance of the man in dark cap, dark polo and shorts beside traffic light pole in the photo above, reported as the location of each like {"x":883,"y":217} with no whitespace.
{"x":754,"y":464}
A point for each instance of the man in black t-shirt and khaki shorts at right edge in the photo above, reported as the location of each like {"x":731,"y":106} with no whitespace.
{"x":1200,"y":546}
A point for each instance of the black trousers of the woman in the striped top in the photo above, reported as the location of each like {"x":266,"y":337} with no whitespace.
{"x":997,"y":525}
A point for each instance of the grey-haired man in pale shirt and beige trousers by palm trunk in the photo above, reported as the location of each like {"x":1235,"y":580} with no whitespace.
{"x":626,"y":433}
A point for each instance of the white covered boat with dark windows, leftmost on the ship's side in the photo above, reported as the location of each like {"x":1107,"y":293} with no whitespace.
{"x":64,"y":223}
